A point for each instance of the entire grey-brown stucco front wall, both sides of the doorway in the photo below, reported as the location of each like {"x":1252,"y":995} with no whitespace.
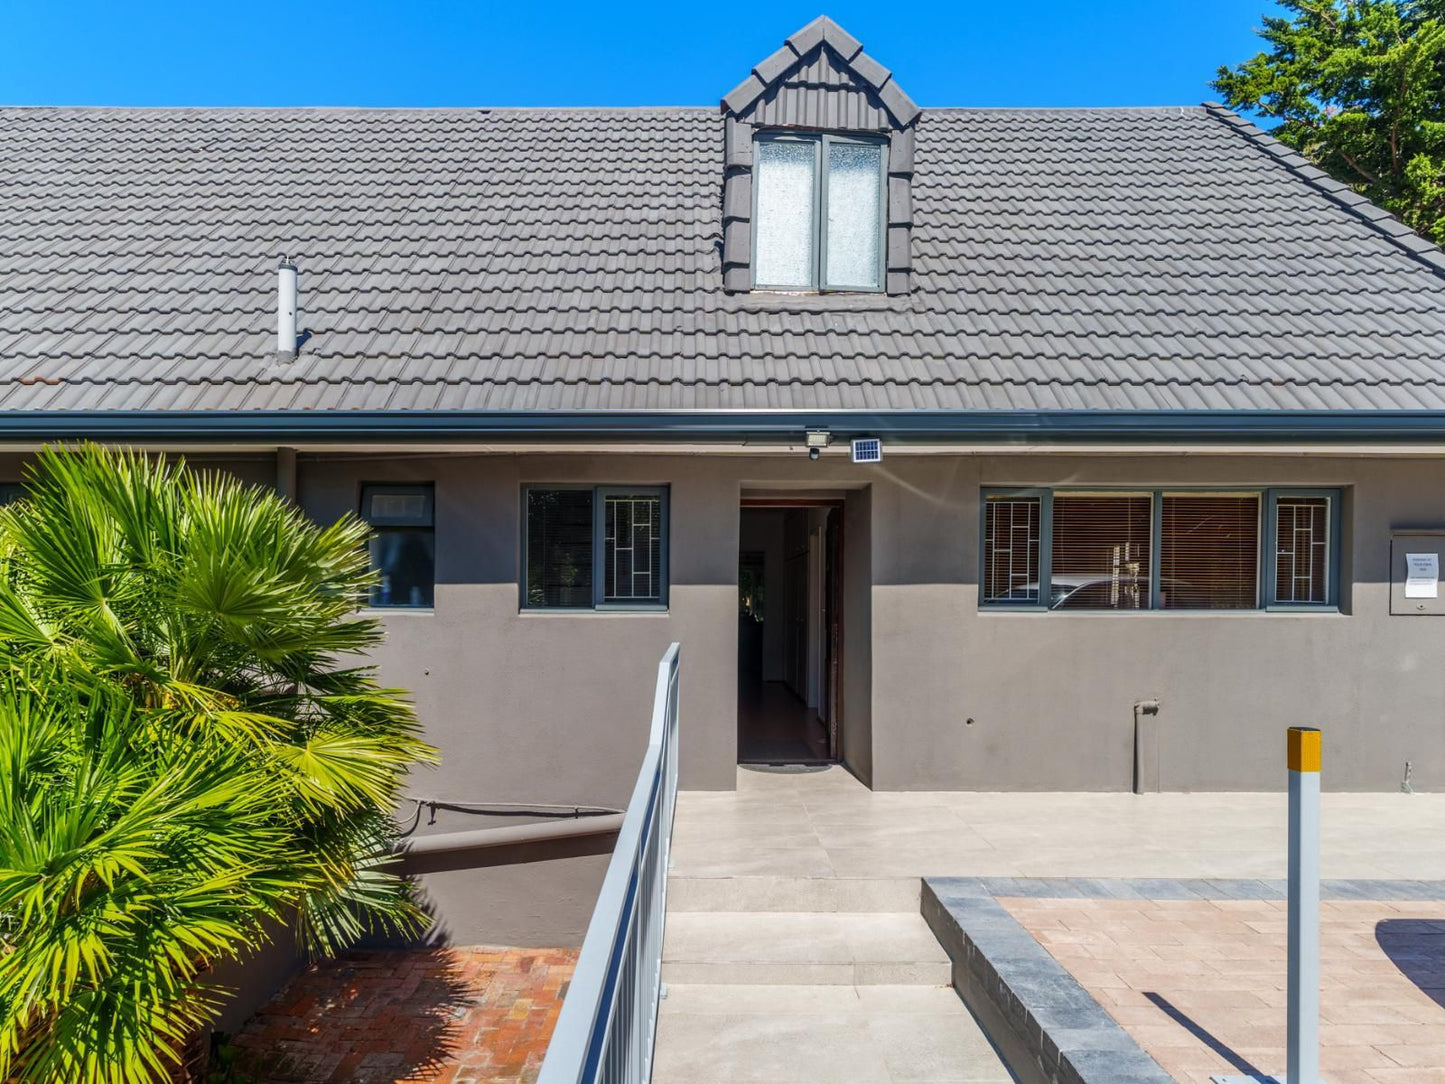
{"x":553,"y":707}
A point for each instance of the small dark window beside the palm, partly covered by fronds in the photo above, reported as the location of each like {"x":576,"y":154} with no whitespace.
{"x":402,"y":546}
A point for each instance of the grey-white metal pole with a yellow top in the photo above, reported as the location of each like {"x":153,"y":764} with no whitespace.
{"x":1303,"y":1030}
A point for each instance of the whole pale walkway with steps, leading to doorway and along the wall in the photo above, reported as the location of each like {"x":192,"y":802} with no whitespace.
{"x":795,"y":950}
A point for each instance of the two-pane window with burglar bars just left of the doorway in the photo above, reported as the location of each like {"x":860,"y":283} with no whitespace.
{"x":598,"y":547}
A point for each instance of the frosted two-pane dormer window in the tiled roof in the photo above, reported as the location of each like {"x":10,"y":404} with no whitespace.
{"x":820,"y":220}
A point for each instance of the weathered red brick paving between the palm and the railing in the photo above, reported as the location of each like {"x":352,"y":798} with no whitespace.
{"x":443,"y":1015}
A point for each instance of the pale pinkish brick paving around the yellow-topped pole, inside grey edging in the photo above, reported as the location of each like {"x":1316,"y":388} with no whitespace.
{"x":1202,"y":984}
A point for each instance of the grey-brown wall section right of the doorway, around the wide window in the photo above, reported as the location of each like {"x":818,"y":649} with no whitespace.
{"x":1051,"y":696}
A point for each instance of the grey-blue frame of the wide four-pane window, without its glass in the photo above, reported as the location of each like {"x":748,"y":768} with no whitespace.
{"x":1267,"y":577}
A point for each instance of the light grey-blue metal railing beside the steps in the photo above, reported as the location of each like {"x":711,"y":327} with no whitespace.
{"x":609,"y":1021}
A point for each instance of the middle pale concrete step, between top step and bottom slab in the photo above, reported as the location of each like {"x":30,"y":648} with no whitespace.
{"x":803,"y":949}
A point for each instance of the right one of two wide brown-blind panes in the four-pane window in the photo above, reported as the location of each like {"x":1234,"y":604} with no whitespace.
{"x":1209,"y":553}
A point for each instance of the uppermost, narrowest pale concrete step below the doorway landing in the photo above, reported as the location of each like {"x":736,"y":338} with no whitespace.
{"x":872,"y":895}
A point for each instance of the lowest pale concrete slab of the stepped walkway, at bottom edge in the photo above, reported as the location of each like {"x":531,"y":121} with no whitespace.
{"x":821,"y":1034}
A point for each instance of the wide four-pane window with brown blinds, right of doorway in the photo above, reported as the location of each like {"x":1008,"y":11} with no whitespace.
{"x":1158,"y":550}
